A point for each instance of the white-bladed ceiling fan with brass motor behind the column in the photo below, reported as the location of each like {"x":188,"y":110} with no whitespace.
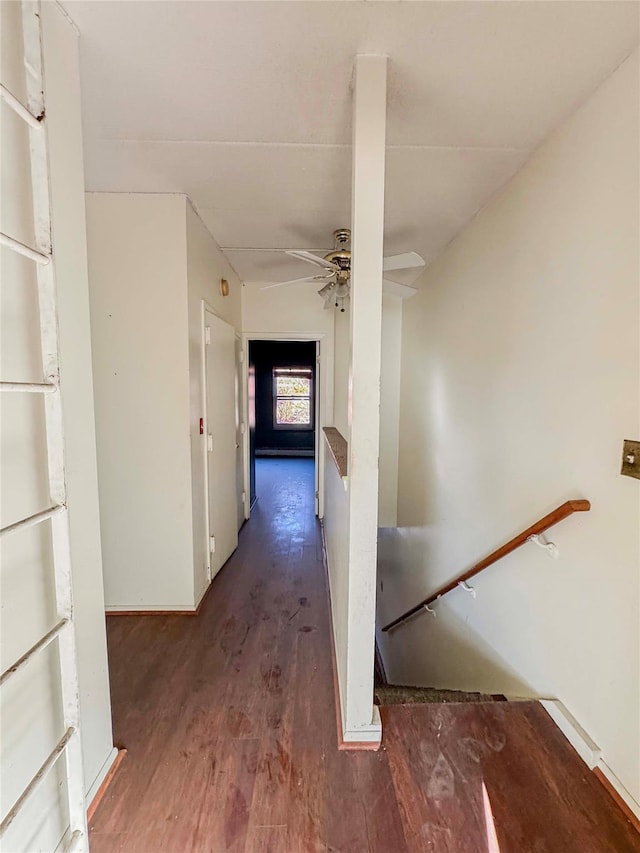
{"x":337,"y":270}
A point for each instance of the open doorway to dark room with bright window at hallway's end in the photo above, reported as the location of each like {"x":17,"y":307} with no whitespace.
{"x":283,"y":405}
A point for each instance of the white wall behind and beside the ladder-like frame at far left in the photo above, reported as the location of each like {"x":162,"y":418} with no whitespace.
{"x":31,"y":722}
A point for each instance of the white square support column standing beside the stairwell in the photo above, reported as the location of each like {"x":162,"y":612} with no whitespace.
{"x":362,"y":722}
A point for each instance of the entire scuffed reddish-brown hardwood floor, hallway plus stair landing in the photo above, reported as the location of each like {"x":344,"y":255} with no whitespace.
{"x":230,"y":727}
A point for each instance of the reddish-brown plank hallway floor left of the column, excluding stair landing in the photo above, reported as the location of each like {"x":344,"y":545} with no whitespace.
{"x":229,"y":717}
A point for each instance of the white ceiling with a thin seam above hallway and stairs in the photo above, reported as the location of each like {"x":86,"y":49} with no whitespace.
{"x":246,"y":107}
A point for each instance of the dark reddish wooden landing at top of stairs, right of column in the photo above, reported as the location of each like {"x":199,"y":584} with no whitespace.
{"x":493,"y":769}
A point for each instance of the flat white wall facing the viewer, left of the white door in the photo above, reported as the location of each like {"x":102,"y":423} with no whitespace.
{"x":139,"y":316}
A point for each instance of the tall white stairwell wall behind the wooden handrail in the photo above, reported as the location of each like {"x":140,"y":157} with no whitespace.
{"x":519,"y":383}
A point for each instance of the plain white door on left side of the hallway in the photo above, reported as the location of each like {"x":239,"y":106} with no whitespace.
{"x":221,"y":439}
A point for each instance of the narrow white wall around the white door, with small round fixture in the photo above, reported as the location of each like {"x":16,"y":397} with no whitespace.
{"x":205,"y":267}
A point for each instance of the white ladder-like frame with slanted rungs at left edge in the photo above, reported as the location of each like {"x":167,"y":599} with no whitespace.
{"x":68,"y":747}
